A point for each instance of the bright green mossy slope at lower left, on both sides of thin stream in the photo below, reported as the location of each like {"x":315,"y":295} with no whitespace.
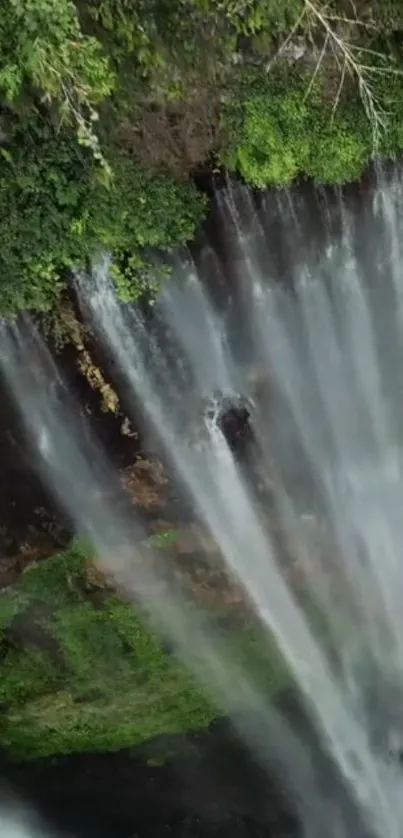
{"x":84,"y":672}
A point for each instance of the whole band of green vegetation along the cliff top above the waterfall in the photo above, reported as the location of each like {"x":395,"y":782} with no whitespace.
{"x":108,"y":106}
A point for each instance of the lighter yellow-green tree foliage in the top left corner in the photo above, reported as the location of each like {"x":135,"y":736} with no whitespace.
{"x":42,"y":48}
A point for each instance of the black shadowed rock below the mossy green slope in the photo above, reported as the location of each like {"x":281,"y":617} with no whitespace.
{"x":200,"y":785}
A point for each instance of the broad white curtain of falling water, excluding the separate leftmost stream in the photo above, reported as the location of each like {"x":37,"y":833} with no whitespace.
{"x":325,"y":375}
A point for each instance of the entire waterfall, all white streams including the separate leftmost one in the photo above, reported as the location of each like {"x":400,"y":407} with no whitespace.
{"x":312,"y":344}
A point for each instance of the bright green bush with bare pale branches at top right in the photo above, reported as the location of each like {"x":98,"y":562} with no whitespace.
{"x":326,"y":101}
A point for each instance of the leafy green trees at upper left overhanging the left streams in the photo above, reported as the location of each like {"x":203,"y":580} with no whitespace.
{"x":66,"y":189}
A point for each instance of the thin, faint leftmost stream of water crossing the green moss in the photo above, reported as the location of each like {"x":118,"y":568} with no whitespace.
{"x":81,"y":478}
